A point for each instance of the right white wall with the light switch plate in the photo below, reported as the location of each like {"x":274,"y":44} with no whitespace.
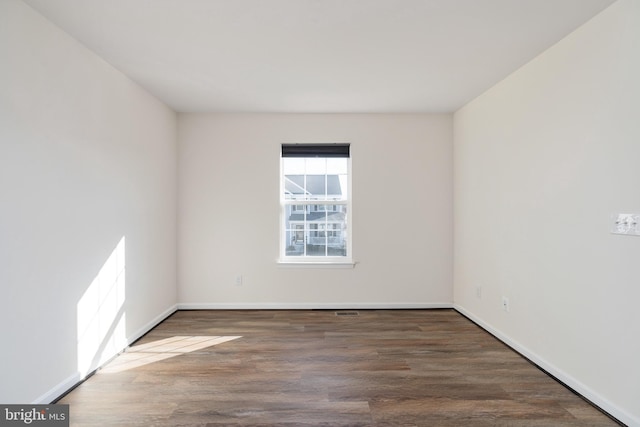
{"x":541,"y":162}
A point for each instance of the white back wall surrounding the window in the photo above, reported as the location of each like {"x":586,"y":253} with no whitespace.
{"x":229,"y":211}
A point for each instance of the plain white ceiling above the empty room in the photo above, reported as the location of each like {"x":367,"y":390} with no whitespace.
{"x":318,"y":55}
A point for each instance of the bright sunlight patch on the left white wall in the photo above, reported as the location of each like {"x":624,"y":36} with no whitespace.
{"x":101,"y":316}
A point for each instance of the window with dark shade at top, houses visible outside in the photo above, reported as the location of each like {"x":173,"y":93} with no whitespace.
{"x":315,"y":203}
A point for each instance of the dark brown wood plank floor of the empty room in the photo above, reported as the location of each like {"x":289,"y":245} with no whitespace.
{"x":313,"y":368}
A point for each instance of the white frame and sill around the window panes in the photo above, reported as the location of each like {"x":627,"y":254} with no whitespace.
{"x":317,"y":261}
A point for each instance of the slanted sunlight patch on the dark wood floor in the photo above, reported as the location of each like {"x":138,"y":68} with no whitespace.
{"x":155,"y":351}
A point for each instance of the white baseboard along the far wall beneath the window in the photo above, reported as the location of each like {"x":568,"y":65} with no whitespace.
{"x":311,"y":306}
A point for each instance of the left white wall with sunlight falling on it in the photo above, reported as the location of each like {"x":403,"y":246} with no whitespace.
{"x":86,"y":158}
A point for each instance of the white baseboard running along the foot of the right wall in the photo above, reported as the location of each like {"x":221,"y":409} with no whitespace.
{"x":588,"y":393}
